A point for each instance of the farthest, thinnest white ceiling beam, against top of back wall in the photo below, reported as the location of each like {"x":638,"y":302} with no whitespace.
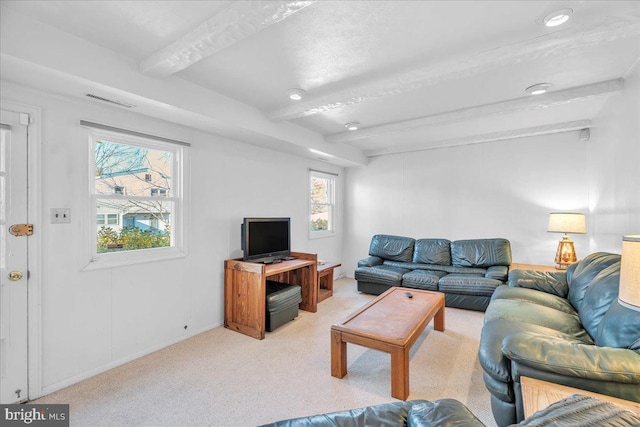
{"x":488,"y":137}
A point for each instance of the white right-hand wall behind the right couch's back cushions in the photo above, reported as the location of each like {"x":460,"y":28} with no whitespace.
{"x":614,"y":169}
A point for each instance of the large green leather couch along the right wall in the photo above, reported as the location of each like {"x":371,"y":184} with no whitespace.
{"x":562,"y":327}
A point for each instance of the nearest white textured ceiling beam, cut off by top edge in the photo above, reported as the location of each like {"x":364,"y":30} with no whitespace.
{"x":238,"y":21}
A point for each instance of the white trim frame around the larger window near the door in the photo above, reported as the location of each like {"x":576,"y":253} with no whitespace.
{"x":179,"y":219}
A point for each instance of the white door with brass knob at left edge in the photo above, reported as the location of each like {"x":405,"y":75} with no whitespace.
{"x":13,"y":257}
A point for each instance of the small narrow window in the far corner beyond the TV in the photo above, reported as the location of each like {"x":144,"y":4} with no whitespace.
{"x":322,"y":204}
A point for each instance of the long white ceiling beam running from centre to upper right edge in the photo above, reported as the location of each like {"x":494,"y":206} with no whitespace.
{"x":569,"y":42}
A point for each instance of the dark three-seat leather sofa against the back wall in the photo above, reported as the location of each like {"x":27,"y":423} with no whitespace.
{"x":466,"y":271}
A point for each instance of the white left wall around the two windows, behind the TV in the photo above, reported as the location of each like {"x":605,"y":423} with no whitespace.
{"x":94,"y":320}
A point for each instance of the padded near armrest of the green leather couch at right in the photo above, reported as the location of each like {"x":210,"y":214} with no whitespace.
{"x":573,"y":358}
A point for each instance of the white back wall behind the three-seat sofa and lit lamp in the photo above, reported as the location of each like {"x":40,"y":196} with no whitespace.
{"x":498,"y":189}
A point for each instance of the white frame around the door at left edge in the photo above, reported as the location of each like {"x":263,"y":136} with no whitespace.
{"x":34,"y":251}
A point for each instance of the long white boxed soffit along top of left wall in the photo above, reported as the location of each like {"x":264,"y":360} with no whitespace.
{"x":53,"y":61}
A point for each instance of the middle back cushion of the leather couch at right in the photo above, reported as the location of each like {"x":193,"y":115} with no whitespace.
{"x":598,"y":298}
